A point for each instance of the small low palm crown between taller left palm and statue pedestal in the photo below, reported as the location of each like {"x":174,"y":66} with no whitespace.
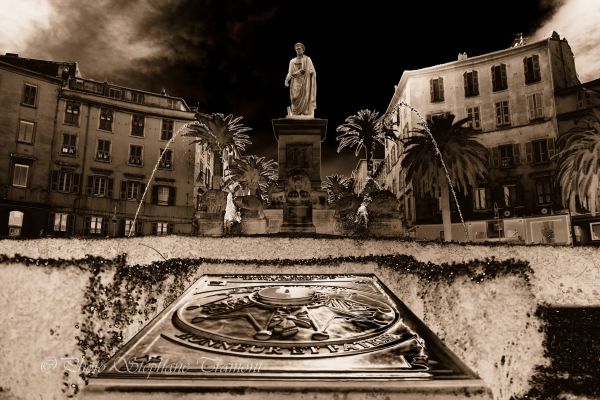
{"x":253,"y":174}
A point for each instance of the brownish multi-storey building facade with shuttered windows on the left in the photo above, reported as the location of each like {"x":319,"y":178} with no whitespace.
{"x":97,"y":150}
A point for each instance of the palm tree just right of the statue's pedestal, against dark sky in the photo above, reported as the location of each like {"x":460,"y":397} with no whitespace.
{"x":362,"y":131}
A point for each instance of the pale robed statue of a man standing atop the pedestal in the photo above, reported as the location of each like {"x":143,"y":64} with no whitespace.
{"x":303,"y":90}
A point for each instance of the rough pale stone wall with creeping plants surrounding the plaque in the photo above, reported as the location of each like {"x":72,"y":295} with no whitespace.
{"x":56,"y":309}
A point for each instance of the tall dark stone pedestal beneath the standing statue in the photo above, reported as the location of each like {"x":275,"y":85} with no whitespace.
{"x":299,"y":159}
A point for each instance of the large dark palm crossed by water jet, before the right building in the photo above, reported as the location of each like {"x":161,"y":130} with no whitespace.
{"x":465,"y":159}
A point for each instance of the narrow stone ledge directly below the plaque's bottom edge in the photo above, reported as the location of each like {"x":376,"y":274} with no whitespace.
{"x":288,"y":390}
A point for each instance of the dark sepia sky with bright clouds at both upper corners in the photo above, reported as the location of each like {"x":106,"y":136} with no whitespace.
{"x":232,"y":56}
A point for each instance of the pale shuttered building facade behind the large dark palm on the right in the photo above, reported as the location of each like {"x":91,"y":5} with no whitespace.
{"x":509,"y":96}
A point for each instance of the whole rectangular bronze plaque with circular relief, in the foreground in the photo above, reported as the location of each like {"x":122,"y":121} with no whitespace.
{"x":284,"y":327}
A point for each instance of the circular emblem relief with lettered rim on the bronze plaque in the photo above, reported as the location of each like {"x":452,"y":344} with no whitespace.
{"x":288,"y":321}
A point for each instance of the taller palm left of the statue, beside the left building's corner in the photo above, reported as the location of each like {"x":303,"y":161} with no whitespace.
{"x":220,"y":134}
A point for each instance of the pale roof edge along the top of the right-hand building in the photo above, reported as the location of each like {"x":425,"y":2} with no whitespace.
{"x":466,"y":62}
